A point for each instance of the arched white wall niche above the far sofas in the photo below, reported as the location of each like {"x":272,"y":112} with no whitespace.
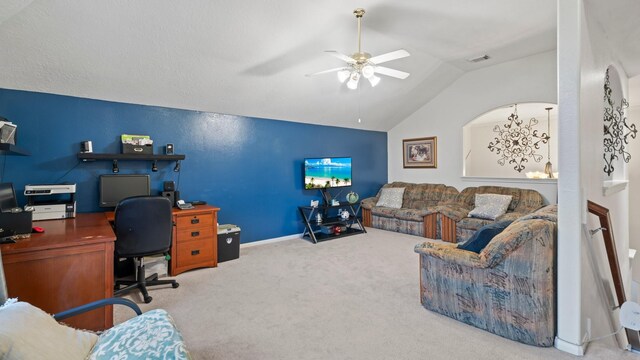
{"x":521,"y":146}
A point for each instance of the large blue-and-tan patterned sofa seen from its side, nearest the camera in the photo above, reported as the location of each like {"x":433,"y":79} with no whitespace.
{"x":508,"y":288}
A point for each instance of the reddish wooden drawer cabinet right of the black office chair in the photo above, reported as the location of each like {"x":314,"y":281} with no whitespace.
{"x":195,"y":242}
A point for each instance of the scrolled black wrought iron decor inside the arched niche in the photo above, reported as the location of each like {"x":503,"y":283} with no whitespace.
{"x":517,"y":141}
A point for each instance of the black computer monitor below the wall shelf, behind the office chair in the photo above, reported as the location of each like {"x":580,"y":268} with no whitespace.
{"x":114,"y":188}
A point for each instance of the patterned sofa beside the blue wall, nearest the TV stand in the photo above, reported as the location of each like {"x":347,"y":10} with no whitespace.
{"x":418,"y":214}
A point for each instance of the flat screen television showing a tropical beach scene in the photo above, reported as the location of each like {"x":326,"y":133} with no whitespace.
{"x":329,"y":172}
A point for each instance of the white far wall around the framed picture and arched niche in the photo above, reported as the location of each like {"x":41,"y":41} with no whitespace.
{"x":530,"y":79}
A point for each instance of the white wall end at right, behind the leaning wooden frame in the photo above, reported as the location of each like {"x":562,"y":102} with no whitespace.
{"x":583,"y":58}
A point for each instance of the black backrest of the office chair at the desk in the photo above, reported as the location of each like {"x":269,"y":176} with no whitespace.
{"x":143,"y":226}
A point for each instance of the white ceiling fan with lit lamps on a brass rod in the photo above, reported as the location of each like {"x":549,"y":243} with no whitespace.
{"x":362,"y":64}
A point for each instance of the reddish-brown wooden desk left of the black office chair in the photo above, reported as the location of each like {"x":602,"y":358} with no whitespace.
{"x":68,"y":265}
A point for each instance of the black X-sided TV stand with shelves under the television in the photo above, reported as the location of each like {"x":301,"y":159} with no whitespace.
{"x":312,"y":227}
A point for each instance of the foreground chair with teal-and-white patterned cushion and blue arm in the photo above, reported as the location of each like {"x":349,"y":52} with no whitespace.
{"x":27,"y":332}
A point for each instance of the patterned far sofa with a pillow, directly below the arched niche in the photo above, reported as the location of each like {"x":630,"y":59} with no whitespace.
{"x":457,"y":226}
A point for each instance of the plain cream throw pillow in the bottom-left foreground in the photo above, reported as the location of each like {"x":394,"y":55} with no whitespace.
{"x":27,"y":332}
